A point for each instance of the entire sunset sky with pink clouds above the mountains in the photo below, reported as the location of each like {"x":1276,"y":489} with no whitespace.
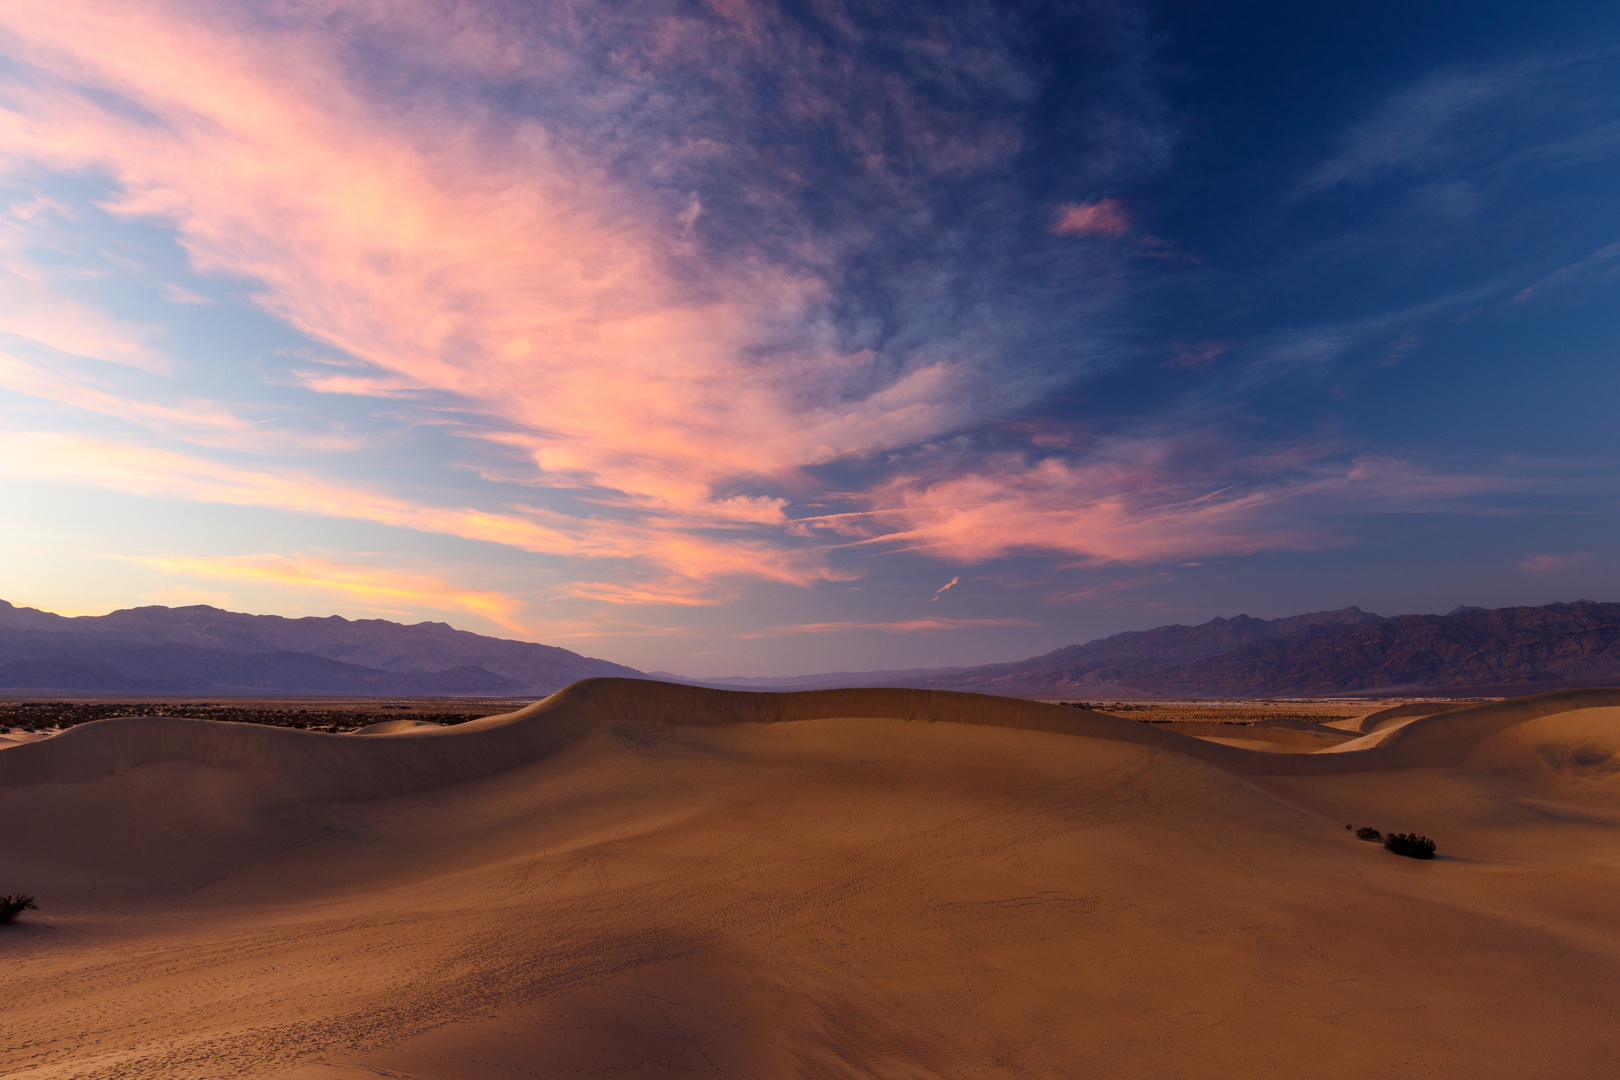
{"x":765,"y":339}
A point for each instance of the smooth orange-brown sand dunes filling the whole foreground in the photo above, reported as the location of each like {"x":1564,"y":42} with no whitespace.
{"x":637,"y":880}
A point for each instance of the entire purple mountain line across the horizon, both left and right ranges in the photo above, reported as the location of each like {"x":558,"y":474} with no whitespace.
{"x":207,"y":650}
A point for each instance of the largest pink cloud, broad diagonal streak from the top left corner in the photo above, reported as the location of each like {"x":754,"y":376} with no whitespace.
{"x":505,"y":268}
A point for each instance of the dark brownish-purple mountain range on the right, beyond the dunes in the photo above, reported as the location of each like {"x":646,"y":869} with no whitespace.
{"x":1472,"y":650}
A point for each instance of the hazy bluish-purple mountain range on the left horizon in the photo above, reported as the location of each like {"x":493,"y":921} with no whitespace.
{"x":207,"y":650}
